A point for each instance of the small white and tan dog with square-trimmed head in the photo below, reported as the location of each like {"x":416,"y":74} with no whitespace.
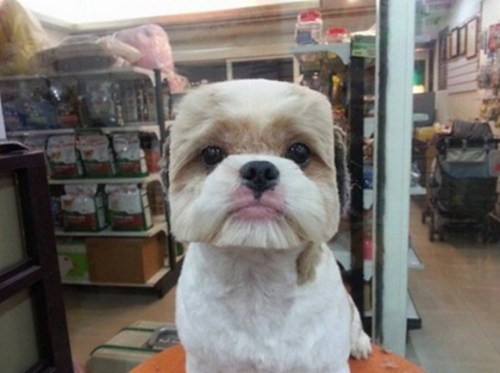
{"x":254,"y":190}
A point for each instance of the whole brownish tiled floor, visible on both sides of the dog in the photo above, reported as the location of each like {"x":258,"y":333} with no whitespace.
{"x":457,"y":296}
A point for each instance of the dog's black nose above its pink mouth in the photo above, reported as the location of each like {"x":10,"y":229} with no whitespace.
{"x":259,"y":176}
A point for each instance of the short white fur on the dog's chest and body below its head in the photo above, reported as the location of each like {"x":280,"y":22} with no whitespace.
{"x":245,"y":313}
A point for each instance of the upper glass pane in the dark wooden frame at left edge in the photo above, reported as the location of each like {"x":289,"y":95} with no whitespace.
{"x":12,"y":250}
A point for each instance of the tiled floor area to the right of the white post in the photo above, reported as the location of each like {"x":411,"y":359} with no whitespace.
{"x":458,"y":298}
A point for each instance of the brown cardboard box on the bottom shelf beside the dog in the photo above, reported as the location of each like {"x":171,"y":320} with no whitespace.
{"x":125,"y":260}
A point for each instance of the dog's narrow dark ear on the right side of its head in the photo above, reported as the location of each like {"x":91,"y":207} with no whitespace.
{"x":343,"y":176}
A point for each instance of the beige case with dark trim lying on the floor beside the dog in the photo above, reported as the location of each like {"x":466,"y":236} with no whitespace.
{"x":131,"y":346}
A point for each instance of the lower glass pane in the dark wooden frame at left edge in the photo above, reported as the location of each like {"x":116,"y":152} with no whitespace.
{"x":18,"y":336}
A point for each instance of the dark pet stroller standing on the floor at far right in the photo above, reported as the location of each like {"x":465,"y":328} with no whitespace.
{"x":463,"y":180}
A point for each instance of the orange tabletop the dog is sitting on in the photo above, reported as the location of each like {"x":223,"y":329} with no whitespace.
{"x":172,"y":360}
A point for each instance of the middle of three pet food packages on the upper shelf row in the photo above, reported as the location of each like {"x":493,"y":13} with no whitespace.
{"x":97,"y":156}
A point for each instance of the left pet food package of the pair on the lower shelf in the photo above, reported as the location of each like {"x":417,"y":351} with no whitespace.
{"x":83,"y":208}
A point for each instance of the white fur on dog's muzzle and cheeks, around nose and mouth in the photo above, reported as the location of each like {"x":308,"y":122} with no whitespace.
{"x":304,"y":205}
